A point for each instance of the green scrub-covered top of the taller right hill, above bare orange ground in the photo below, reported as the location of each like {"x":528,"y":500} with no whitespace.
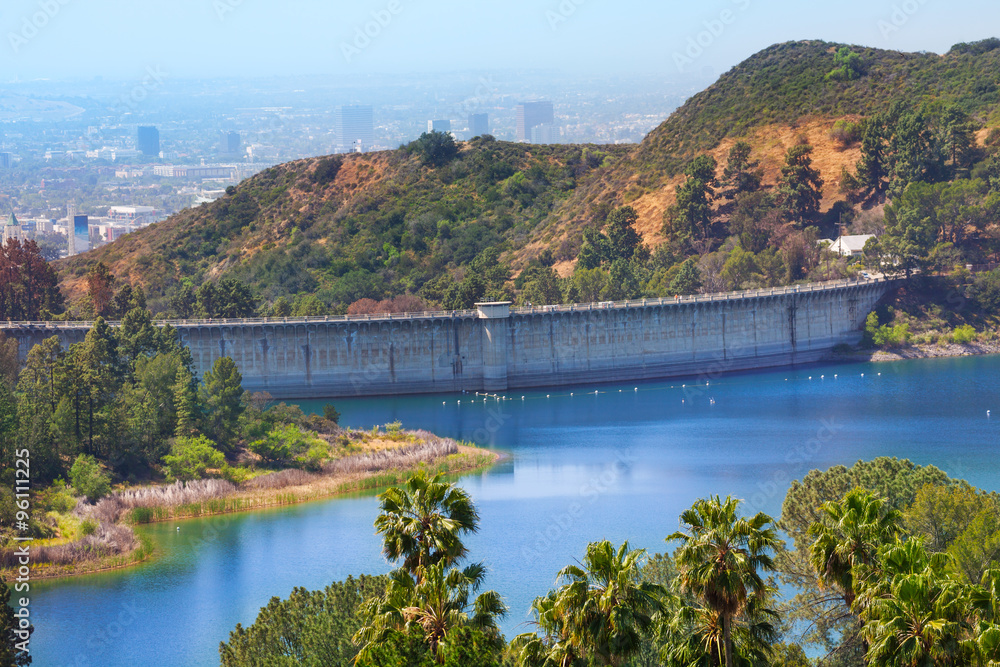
{"x":790,"y":81}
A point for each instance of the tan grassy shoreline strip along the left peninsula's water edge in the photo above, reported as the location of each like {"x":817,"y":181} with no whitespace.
{"x":466,"y":460}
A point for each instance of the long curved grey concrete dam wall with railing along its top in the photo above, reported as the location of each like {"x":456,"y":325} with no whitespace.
{"x":497,"y":347}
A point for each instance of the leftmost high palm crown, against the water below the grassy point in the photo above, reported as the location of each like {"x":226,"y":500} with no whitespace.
{"x":423,"y":521}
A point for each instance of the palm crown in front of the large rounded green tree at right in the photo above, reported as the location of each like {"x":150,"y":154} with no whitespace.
{"x":848,"y":537}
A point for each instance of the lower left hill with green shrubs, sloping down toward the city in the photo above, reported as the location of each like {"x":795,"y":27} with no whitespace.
{"x":353,"y":226}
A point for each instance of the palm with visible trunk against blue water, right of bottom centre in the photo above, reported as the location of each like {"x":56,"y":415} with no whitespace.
{"x":721,"y":558}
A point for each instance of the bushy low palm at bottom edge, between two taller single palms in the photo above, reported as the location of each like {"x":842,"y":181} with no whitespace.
{"x":600,"y":612}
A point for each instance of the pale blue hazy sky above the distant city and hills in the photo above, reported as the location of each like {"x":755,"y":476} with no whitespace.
{"x":206,"y":38}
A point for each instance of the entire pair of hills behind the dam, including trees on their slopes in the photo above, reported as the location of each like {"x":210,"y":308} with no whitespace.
{"x":450,"y":224}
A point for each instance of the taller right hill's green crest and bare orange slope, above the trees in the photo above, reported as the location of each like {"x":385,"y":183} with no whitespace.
{"x":775,"y":98}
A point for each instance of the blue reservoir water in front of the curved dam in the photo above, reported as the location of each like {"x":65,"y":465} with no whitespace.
{"x":621,"y":465}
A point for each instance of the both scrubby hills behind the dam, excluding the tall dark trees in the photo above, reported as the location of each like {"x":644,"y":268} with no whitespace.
{"x":390,"y":223}
